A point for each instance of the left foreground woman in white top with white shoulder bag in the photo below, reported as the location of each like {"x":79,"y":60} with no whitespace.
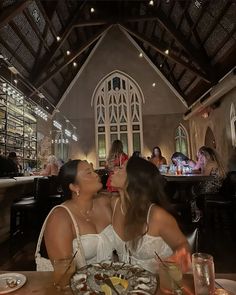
{"x":82,"y":223}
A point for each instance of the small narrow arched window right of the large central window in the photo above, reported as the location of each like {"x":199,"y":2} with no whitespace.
{"x":181,"y":140}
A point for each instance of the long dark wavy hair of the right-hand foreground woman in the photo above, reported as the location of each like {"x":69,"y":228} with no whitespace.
{"x":144,"y":186}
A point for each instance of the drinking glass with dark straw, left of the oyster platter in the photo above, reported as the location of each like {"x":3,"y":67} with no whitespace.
{"x":63,"y":271}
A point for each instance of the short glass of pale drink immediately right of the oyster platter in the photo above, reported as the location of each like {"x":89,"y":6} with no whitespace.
{"x":170,"y":275}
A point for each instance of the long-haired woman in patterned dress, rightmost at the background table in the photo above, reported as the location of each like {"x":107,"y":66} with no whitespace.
{"x":210,"y":166}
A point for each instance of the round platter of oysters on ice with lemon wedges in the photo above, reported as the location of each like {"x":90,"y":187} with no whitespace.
{"x":113,"y":278}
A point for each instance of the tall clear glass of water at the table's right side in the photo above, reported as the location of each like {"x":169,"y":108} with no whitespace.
{"x":203,"y":274}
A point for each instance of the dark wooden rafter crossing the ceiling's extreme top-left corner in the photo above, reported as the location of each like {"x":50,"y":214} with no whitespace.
{"x":10,"y":12}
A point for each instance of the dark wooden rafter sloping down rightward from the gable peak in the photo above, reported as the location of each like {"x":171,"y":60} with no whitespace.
{"x":161,"y":49}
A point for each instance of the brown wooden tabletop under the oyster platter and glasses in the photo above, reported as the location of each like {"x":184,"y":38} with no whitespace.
{"x":41,"y":283}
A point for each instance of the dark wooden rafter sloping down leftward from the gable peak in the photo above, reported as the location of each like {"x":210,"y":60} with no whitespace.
{"x":78,"y":52}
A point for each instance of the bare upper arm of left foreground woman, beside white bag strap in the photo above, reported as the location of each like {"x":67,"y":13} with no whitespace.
{"x":59,"y":235}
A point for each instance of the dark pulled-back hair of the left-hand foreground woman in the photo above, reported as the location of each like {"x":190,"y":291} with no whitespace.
{"x":66,"y":176}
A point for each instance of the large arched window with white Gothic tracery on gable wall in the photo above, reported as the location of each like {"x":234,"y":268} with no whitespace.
{"x":118,"y":114}
